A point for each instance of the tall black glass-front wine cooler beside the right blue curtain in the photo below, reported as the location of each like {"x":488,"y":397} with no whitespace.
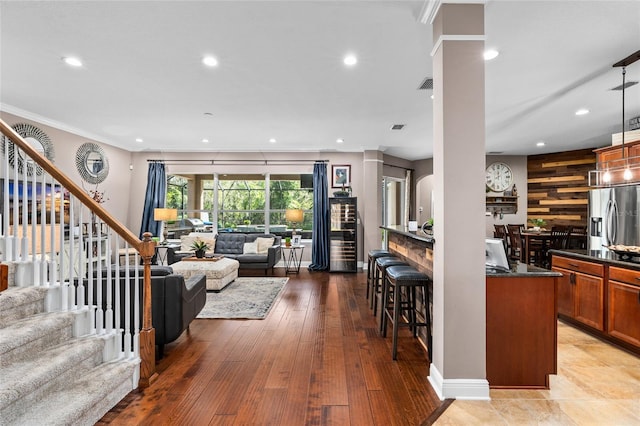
{"x":343,"y":242}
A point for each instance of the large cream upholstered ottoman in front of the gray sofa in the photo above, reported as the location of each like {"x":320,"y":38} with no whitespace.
{"x":219,"y":271}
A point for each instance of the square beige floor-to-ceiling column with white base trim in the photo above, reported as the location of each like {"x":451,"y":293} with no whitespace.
{"x":458,"y":368}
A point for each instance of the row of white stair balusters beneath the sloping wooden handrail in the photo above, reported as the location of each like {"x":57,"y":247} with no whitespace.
{"x":49,"y":238}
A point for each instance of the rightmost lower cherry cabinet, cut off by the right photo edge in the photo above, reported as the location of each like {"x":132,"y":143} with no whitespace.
{"x":624,"y":305}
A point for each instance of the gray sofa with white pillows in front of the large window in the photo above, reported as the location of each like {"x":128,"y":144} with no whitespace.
{"x":232,"y":245}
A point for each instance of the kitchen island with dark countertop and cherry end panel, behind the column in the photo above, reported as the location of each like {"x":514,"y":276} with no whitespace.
{"x":521,"y":314}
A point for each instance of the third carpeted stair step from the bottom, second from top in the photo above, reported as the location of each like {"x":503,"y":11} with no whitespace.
{"x":27,"y":337}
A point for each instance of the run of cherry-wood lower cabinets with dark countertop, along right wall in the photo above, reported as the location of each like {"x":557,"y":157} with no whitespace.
{"x":599,"y":292}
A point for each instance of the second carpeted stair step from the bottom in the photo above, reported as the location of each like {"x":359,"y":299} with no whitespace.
{"x":51,"y":369}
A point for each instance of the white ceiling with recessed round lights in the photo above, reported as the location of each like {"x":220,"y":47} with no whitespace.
{"x":281,"y":73}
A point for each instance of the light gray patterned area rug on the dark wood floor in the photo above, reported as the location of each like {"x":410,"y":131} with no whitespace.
{"x":244,"y":298}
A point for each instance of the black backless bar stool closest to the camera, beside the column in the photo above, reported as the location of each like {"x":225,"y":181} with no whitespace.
{"x":409,"y":278}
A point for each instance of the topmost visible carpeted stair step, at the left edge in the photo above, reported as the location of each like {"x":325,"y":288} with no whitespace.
{"x":20,"y":302}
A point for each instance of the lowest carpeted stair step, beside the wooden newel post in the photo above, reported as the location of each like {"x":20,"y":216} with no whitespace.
{"x":85,"y":400}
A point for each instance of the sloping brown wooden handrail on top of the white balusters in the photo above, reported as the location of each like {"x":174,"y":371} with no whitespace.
{"x":71,"y":186}
